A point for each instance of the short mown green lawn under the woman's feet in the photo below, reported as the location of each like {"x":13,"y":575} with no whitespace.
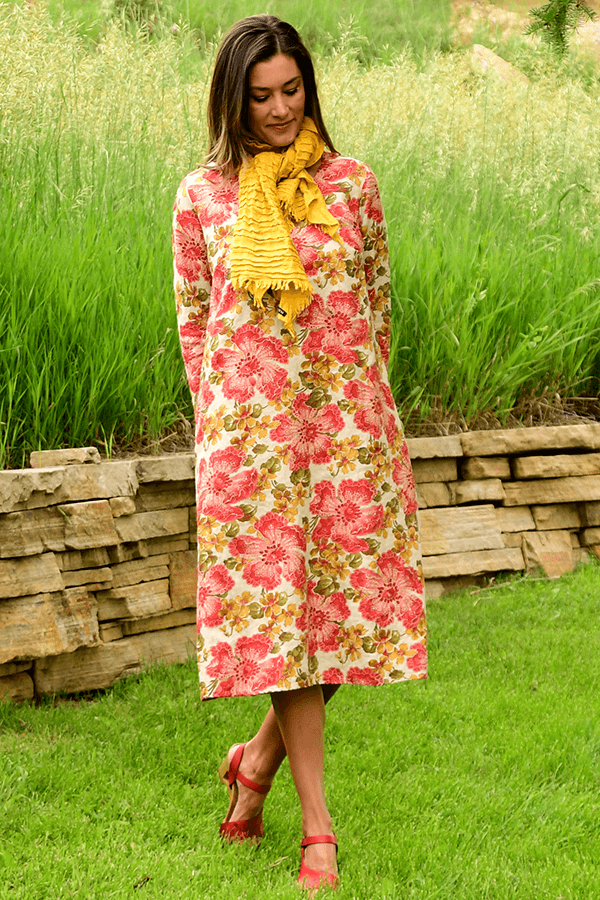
{"x":481,"y":782}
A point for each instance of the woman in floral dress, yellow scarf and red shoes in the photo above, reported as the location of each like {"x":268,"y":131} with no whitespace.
{"x":309,"y":568}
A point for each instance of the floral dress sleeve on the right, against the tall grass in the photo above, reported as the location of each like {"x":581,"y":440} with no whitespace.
{"x":376,"y":259}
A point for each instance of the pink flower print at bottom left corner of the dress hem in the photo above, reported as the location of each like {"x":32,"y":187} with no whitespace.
{"x":245,"y":669}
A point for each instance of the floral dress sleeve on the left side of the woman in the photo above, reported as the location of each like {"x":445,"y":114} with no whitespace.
{"x":192,"y":285}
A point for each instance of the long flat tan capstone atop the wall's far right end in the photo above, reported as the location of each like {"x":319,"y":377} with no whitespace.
{"x":526,"y":440}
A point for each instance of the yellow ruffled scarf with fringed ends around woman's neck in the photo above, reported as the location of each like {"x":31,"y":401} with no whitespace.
{"x":276,"y":191}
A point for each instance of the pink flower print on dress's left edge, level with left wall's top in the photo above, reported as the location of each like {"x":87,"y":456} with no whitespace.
{"x":221,"y":486}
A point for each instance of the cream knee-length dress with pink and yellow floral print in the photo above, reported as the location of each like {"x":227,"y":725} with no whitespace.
{"x":309,"y":569}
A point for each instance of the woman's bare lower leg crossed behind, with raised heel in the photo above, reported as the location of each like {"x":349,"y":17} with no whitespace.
{"x":262,"y":757}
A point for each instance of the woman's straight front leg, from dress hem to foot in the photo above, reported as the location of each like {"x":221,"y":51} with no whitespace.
{"x":301,"y":719}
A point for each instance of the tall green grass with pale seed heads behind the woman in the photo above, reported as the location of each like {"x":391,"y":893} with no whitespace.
{"x":491,"y":192}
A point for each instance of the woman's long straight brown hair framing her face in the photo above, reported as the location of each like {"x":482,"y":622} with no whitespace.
{"x":252,"y":40}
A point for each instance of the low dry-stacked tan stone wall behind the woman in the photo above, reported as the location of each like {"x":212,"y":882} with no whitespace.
{"x":98,"y":558}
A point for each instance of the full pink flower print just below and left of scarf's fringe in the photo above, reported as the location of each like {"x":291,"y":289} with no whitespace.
{"x":252,"y":366}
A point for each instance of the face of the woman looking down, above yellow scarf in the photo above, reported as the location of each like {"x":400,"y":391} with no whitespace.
{"x":276,"y":103}
